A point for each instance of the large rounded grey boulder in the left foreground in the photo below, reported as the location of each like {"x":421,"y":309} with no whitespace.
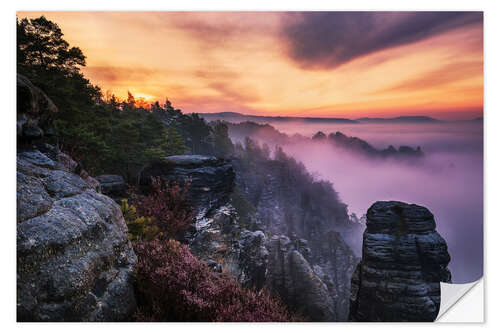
{"x":74,"y":259}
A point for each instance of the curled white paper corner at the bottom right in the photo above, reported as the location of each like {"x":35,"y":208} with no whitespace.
{"x":462,"y":302}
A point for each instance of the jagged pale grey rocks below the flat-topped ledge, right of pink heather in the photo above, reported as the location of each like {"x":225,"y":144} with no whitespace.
{"x":283,"y":266}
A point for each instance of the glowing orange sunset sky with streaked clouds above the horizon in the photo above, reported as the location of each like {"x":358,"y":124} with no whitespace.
{"x":315,"y":64}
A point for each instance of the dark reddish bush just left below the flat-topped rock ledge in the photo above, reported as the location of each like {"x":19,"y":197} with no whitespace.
{"x":168,"y":206}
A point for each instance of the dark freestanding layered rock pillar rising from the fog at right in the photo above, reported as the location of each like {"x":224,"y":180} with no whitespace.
{"x":404,"y":259}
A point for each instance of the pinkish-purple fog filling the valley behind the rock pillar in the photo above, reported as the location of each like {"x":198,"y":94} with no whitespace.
{"x":448,"y":180}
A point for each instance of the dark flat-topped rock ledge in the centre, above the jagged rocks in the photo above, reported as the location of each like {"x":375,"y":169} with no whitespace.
{"x":210,"y":179}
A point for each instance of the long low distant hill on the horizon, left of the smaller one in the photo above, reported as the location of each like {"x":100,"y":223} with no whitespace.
{"x":235,"y":117}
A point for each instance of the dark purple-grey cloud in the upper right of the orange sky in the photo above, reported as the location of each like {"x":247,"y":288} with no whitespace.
{"x":321,"y":40}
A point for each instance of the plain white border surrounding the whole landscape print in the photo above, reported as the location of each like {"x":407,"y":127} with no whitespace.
{"x":7,"y":132}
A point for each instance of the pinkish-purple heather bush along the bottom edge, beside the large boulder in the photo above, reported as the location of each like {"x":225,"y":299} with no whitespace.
{"x":173,"y":285}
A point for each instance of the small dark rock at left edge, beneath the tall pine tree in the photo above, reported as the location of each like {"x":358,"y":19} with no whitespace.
{"x":35,"y":111}
